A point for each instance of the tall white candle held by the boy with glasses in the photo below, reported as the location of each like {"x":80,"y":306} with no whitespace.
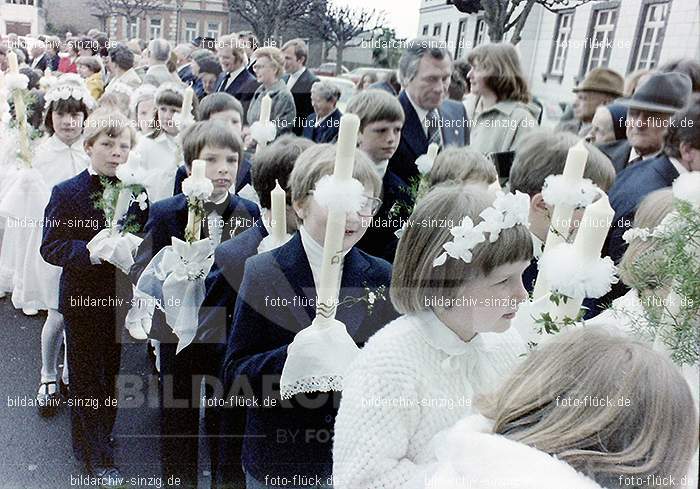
{"x":329,"y":280}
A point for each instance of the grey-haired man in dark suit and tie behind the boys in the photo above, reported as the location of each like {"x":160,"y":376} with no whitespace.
{"x":425,"y":69}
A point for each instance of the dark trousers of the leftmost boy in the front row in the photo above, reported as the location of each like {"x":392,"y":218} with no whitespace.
{"x":94,"y":352}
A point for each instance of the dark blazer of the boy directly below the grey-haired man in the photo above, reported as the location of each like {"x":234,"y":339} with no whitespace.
{"x":397,"y":202}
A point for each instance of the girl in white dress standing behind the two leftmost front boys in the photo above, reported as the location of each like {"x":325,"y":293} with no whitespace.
{"x":159,"y":151}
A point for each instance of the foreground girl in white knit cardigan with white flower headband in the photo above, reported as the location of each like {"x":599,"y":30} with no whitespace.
{"x":418,"y":375}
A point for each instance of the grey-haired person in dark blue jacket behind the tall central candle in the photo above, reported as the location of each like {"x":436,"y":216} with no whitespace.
{"x":323,"y":124}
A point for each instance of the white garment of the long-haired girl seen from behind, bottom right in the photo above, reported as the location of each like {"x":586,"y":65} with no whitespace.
{"x":469,"y":456}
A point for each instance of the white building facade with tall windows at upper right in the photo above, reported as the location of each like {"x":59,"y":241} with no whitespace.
{"x":558,"y":49}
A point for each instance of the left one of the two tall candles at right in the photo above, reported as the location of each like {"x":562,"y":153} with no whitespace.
{"x":562,"y":214}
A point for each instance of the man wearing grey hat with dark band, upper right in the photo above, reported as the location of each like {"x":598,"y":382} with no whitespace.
{"x":648,"y":115}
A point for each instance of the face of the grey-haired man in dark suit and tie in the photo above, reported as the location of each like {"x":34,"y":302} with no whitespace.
{"x":429,"y":87}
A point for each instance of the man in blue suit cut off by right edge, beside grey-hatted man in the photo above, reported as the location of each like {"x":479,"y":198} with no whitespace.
{"x":681,"y":154}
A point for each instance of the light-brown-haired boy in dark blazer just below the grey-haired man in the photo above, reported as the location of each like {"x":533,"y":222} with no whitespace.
{"x":381,"y":120}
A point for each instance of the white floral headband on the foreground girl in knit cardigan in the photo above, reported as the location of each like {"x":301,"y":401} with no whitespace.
{"x":507,"y":211}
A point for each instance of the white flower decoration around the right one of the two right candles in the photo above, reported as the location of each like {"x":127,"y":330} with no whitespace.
{"x":573,"y":277}
